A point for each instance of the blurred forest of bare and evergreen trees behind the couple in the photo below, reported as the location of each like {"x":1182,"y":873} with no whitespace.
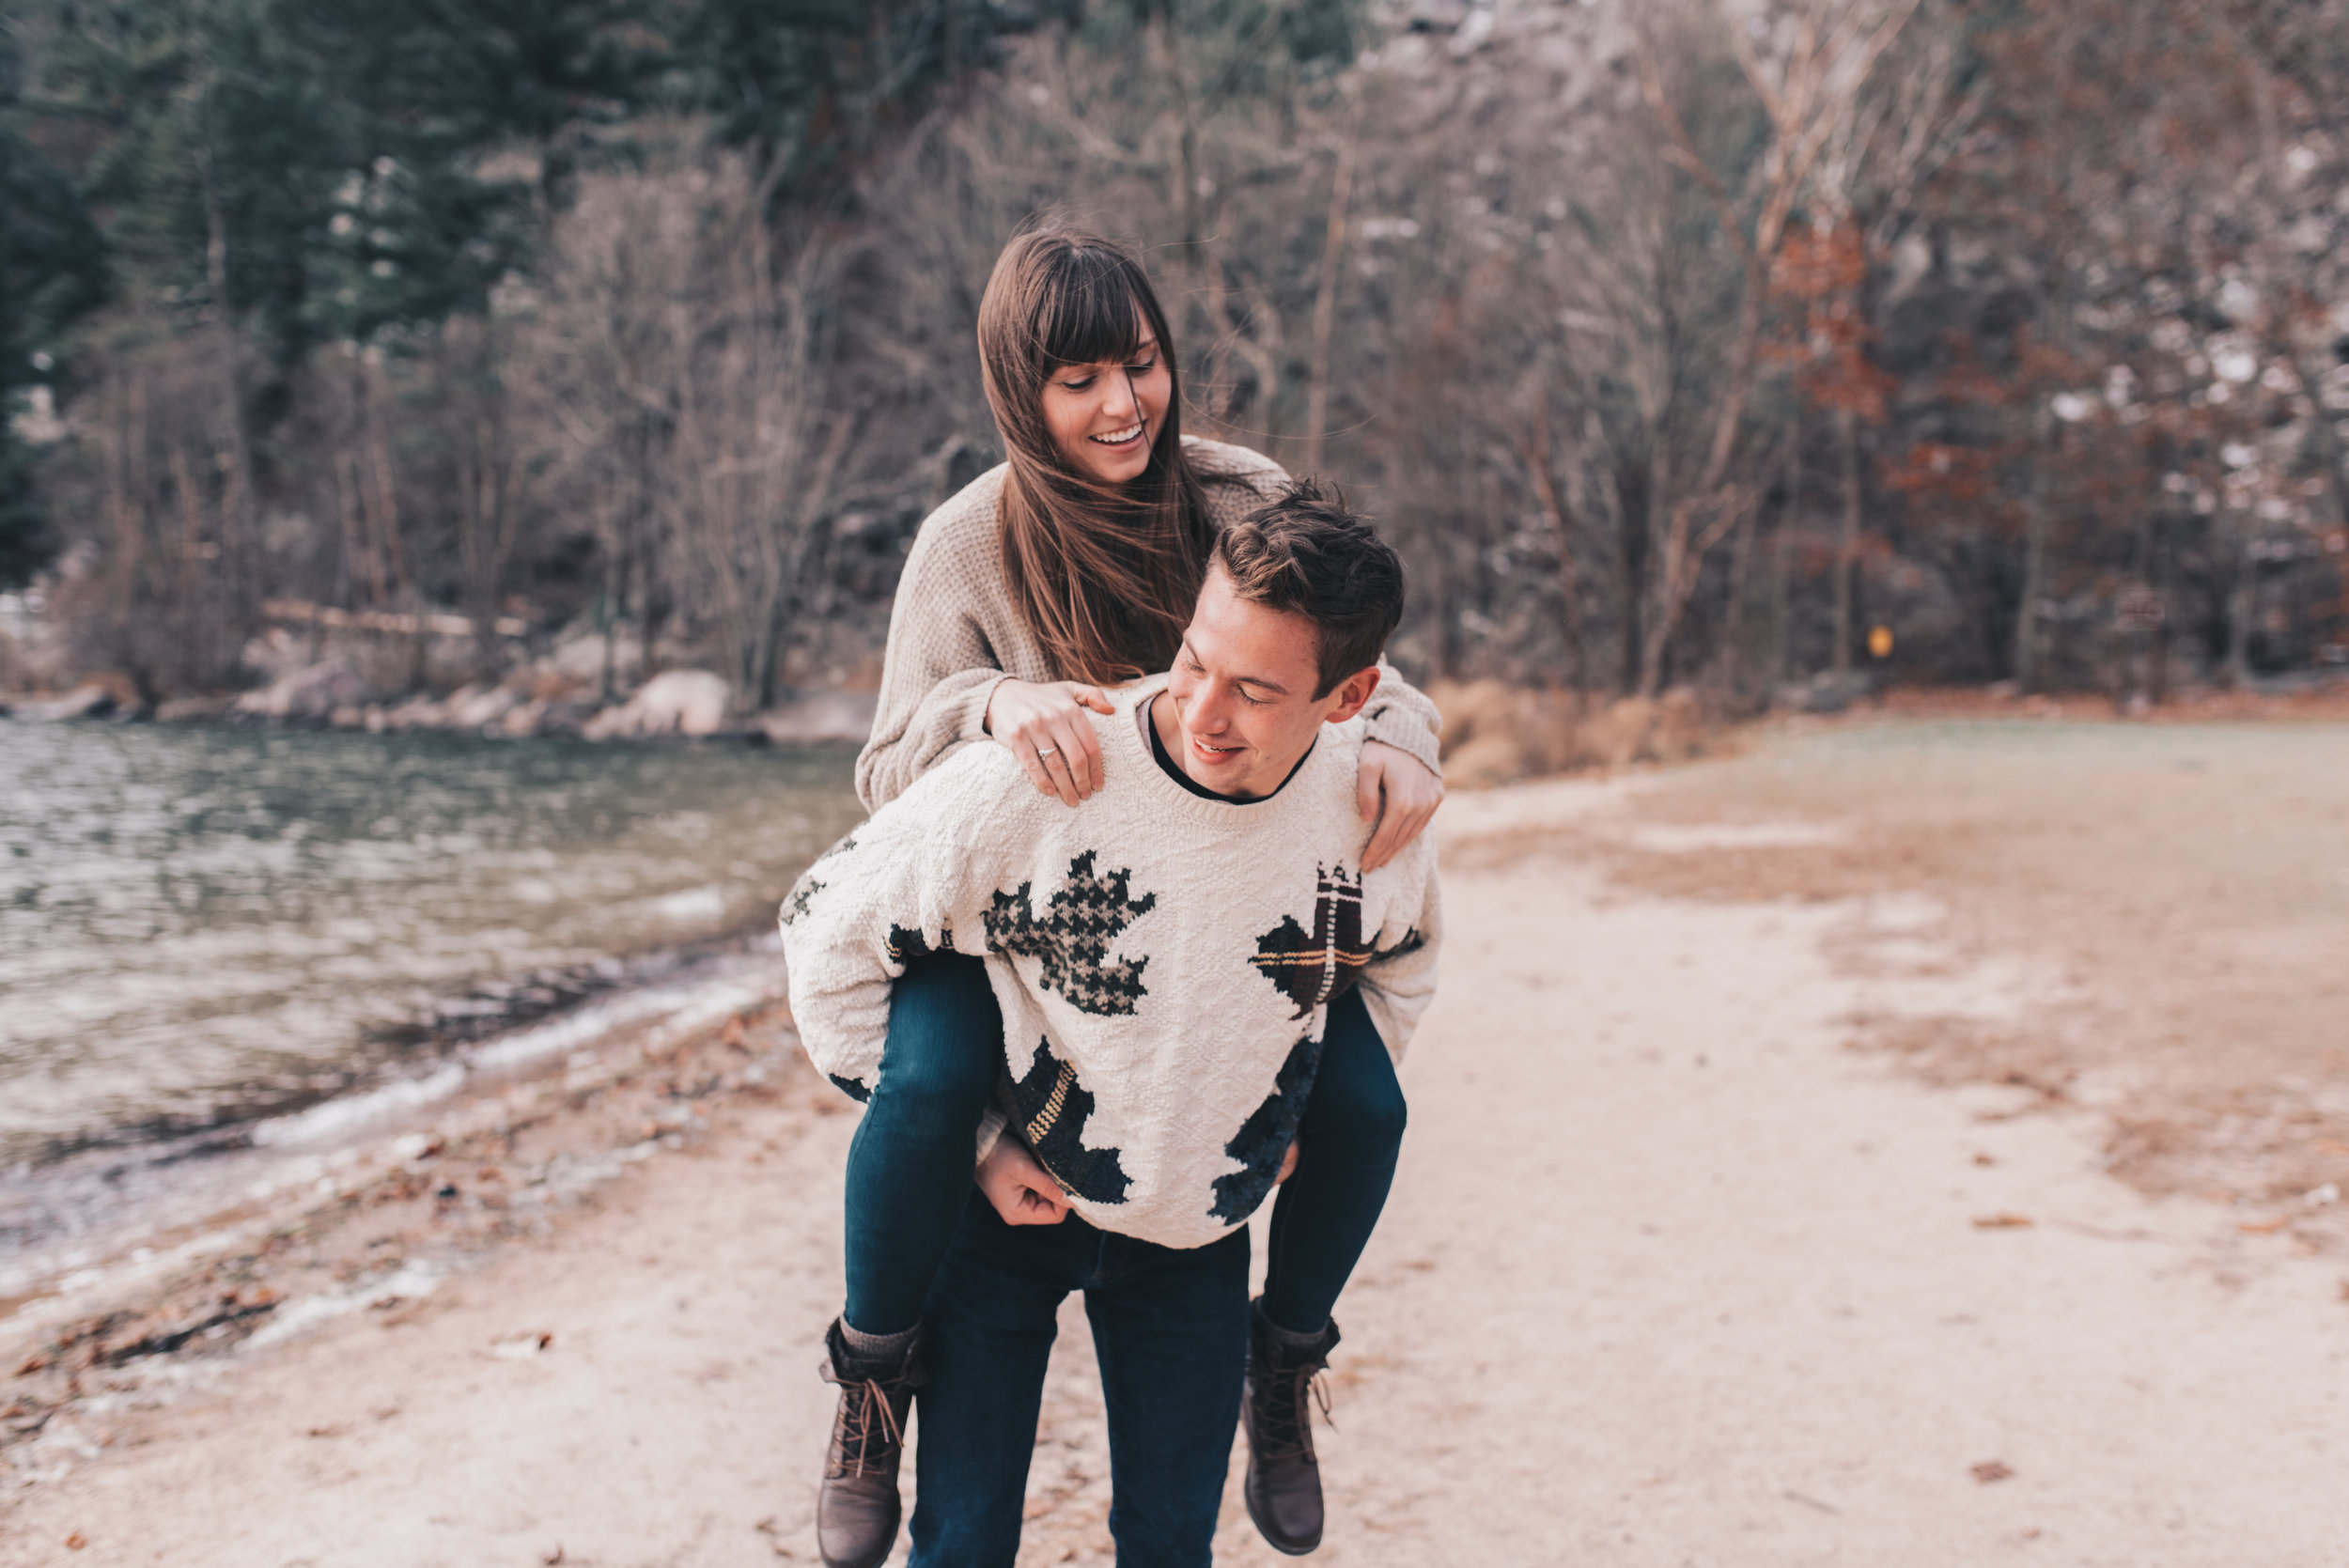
{"x":1732,"y":346}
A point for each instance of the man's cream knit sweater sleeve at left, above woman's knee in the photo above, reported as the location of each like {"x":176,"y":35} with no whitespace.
{"x":906,"y":884}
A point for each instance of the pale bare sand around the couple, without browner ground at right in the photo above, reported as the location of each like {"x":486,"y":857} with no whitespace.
{"x":1671,"y":1276}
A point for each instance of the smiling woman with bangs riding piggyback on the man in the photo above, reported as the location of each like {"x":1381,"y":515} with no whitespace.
{"x":1070,"y":567}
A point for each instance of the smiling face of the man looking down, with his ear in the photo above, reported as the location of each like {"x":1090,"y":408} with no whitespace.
{"x":1241,"y":696}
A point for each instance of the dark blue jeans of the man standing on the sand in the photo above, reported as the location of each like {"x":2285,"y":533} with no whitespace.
{"x":1171,"y":1334}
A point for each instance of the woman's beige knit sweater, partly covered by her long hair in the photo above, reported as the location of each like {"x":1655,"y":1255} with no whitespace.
{"x":955,"y":633}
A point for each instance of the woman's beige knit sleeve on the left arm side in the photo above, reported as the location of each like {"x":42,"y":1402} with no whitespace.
{"x":938,"y":670}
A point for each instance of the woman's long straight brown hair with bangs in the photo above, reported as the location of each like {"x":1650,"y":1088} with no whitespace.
{"x":1103,"y":574}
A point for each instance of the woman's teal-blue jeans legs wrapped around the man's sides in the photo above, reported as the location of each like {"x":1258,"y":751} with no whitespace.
{"x":913,"y":1156}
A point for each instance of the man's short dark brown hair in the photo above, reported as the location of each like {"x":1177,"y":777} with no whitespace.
{"x":1310,"y":555}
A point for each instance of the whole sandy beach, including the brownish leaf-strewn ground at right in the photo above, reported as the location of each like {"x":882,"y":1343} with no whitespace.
{"x":1791,"y":1180}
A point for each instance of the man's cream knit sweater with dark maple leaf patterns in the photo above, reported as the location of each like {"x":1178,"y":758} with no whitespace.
{"x":1164,"y":961}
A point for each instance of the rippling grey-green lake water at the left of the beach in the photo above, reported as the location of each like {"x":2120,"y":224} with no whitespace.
{"x":206,"y":926}
